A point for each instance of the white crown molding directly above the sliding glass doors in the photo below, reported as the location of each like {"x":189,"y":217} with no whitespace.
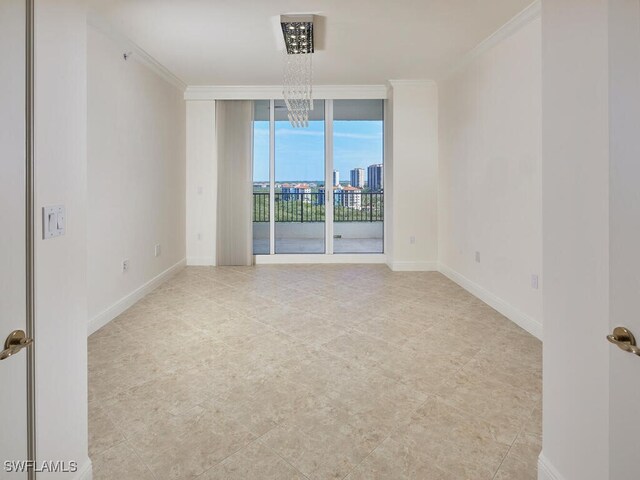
{"x":264,"y":92}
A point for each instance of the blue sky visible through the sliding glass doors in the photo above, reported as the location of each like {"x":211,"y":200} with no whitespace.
{"x":300,"y":151}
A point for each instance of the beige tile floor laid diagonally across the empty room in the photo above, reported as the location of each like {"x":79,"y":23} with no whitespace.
{"x":313,"y":372}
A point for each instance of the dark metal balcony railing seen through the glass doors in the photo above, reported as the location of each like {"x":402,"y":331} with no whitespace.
{"x":309,"y":207}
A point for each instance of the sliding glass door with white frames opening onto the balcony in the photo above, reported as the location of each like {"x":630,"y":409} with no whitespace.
{"x":318,"y":190}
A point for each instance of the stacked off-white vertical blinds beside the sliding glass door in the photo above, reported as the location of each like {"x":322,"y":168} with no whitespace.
{"x":234,"y":142}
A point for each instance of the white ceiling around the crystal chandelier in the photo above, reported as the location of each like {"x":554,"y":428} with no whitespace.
{"x":361,"y":42}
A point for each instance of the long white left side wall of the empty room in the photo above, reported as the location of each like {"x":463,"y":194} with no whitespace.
{"x":135,"y":176}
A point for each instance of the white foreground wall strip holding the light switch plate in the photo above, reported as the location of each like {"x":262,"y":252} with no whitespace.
{"x":61,"y":267}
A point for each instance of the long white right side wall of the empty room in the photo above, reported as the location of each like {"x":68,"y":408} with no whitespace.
{"x":489,"y":190}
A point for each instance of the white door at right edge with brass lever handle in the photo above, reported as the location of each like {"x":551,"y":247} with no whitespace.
{"x":624,"y":51}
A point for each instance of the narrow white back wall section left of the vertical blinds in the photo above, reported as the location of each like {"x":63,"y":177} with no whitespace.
{"x":201,"y":182}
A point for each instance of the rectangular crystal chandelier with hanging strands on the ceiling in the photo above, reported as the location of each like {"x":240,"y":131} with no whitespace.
{"x":297,"y":90}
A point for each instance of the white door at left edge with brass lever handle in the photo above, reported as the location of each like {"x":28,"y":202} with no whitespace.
{"x":13,"y":280}
